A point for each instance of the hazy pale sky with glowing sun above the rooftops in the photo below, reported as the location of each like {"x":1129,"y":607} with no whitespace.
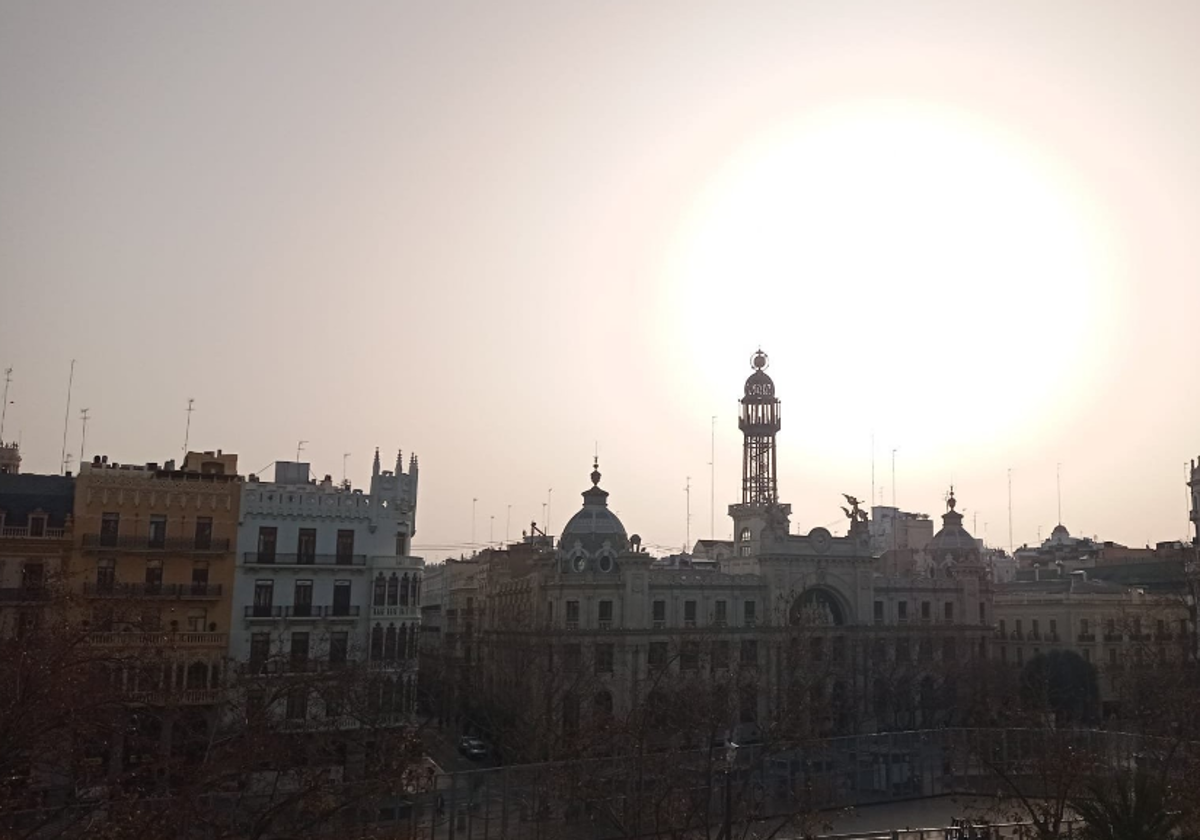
{"x":497,"y":233}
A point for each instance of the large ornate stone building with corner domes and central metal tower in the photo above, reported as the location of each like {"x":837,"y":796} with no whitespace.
{"x":783,"y":623}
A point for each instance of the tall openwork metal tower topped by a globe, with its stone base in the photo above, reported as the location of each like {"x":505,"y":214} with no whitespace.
{"x":760,"y":518}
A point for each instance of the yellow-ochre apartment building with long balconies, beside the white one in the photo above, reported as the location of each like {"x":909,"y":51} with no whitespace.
{"x":154,"y":566}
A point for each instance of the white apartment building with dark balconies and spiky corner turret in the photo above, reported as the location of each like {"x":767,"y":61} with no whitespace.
{"x":325,"y":580}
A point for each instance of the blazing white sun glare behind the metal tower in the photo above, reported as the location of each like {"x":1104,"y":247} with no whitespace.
{"x":917,"y":248}
